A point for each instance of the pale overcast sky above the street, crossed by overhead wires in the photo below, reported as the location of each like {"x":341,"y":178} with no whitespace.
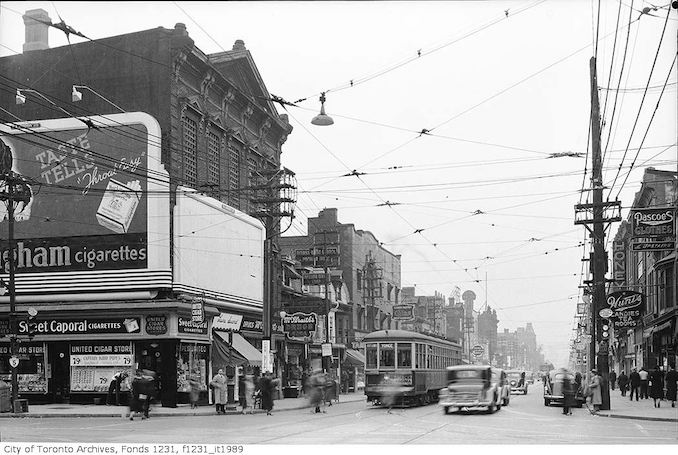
{"x":501,"y":86}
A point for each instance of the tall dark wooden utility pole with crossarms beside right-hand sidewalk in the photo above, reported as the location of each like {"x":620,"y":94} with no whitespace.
{"x":600,"y":345}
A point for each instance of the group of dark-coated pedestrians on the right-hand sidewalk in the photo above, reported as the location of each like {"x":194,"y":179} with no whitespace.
{"x":644,"y":385}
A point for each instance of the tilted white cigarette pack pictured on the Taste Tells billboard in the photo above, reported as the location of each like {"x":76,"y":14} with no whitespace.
{"x":118,"y":205}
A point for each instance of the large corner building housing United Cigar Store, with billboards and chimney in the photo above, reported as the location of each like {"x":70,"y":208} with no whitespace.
{"x":208,"y":128}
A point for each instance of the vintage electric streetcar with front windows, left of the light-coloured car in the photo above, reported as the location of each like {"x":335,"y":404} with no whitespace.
{"x":406,"y":368}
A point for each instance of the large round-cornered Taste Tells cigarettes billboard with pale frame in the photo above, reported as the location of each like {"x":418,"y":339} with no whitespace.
{"x":93,"y":198}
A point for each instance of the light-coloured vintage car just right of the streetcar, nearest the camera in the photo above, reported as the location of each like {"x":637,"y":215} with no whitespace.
{"x":472,"y":387}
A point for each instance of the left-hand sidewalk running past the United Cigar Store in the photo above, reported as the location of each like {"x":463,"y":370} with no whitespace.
{"x":92,"y":410}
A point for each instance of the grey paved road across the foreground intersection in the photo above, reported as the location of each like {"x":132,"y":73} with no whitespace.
{"x":525,"y":421}
